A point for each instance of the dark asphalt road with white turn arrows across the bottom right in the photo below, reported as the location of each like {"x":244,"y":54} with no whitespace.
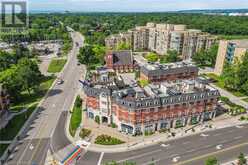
{"x":225,"y":144}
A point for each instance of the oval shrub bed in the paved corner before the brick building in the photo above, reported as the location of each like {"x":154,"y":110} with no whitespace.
{"x":108,"y":140}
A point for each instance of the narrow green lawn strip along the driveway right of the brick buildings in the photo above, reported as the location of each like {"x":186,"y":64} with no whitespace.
{"x":220,"y":83}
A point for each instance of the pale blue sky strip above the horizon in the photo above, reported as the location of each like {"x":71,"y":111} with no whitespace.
{"x":133,"y":5}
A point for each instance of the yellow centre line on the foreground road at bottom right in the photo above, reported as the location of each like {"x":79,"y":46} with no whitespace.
{"x":212,"y":154}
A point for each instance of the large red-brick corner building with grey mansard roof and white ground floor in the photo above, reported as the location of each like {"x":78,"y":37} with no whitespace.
{"x":137,"y":110}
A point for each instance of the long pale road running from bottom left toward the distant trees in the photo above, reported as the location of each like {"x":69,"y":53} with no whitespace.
{"x":51,"y":114}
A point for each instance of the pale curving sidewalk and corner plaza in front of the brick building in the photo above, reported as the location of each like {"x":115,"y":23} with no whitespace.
{"x":133,"y":143}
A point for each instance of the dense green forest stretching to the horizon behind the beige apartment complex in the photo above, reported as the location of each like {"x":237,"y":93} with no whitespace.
{"x":96,"y":26}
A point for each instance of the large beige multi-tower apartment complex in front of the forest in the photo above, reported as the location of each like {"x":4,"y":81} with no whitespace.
{"x":163,"y":37}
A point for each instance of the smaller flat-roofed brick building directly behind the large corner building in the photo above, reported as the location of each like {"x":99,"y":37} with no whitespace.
{"x":156,"y":73}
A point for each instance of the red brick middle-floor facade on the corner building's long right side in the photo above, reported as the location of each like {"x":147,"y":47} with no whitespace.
{"x":159,"y":113}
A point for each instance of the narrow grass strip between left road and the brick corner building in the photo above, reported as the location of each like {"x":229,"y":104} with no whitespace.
{"x":76,"y":116}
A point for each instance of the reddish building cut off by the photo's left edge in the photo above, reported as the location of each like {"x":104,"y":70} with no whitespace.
{"x":4,"y":101}
